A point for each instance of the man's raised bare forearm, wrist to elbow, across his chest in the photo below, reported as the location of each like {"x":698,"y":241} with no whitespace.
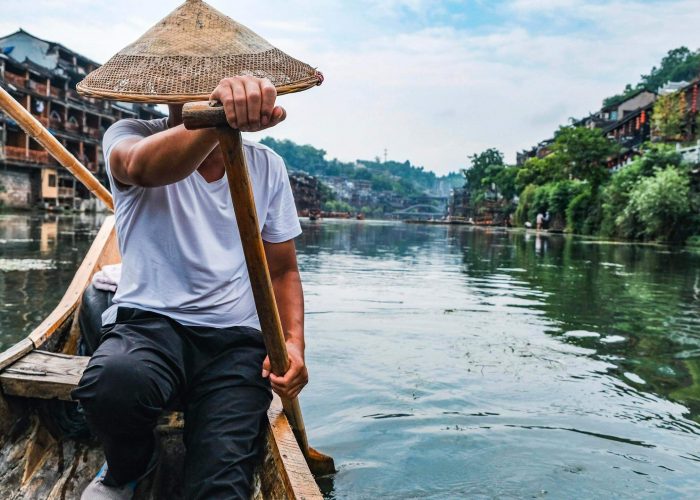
{"x":168,"y":156}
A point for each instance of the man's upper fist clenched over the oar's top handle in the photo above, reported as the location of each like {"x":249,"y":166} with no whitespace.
{"x":249,"y":103}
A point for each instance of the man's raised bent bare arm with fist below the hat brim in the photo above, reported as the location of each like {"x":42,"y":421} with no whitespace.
{"x":173,"y":154}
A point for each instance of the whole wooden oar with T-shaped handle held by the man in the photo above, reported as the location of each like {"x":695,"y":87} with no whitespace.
{"x":202,"y":115}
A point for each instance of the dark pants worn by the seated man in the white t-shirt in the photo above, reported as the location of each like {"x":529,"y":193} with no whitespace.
{"x":147,"y":362}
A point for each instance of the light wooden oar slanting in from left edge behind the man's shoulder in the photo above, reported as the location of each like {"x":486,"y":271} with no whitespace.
{"x":35,"y":129}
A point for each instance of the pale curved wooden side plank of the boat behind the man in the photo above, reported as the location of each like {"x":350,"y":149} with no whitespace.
{"x":102,"y":252}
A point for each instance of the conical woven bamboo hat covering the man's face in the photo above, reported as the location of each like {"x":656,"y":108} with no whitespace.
{"x":185,"y":55}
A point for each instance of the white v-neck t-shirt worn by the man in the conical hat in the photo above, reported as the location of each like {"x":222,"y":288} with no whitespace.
{"x":180,"y":246}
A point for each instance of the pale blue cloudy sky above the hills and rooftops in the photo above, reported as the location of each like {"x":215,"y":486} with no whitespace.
{"x":430,"y":81}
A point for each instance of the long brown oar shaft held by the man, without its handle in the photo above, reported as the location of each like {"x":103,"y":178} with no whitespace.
{"x":261,"y":284}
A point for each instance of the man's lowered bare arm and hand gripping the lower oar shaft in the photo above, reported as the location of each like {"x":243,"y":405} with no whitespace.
{"x":286,"y":283}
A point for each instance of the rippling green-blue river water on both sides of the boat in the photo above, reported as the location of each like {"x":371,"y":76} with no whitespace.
{"x":452,"y":362}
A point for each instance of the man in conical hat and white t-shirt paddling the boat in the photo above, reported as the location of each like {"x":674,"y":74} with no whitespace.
{"x":183,"y":330}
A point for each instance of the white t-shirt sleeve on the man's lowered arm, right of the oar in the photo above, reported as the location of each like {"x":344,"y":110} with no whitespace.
{"x":282,"y":221}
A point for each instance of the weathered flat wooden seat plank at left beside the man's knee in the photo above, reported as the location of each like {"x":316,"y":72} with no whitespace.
{"x":44,"y":375}
